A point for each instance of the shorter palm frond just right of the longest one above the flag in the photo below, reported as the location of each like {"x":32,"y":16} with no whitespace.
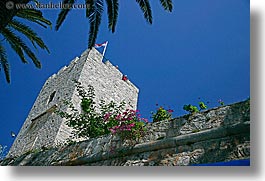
{"x":113,"y":7}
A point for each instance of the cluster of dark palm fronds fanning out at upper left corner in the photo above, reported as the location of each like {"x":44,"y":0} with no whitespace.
{"x":16,"y":42}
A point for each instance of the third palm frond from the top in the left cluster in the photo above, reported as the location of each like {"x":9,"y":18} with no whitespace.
{"x":14,"y":40}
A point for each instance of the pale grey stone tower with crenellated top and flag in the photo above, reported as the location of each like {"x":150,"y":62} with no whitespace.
{"x":43,"y":127}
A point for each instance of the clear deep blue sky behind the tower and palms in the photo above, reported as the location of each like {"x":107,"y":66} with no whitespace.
{"x":201,"y":49}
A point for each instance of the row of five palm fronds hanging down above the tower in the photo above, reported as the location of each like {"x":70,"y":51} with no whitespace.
{"x":94,"y":12}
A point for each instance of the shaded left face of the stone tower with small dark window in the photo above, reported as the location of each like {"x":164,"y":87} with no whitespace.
{"x":33,"y":134}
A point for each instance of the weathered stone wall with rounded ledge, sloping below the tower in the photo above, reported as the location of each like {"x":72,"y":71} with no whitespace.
{"x":219,"y":134}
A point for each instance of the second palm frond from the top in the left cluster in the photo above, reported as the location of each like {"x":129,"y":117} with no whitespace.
{"x":29,"y":33}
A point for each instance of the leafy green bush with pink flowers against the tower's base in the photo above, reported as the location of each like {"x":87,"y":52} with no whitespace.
{"x":106,"y":118}
